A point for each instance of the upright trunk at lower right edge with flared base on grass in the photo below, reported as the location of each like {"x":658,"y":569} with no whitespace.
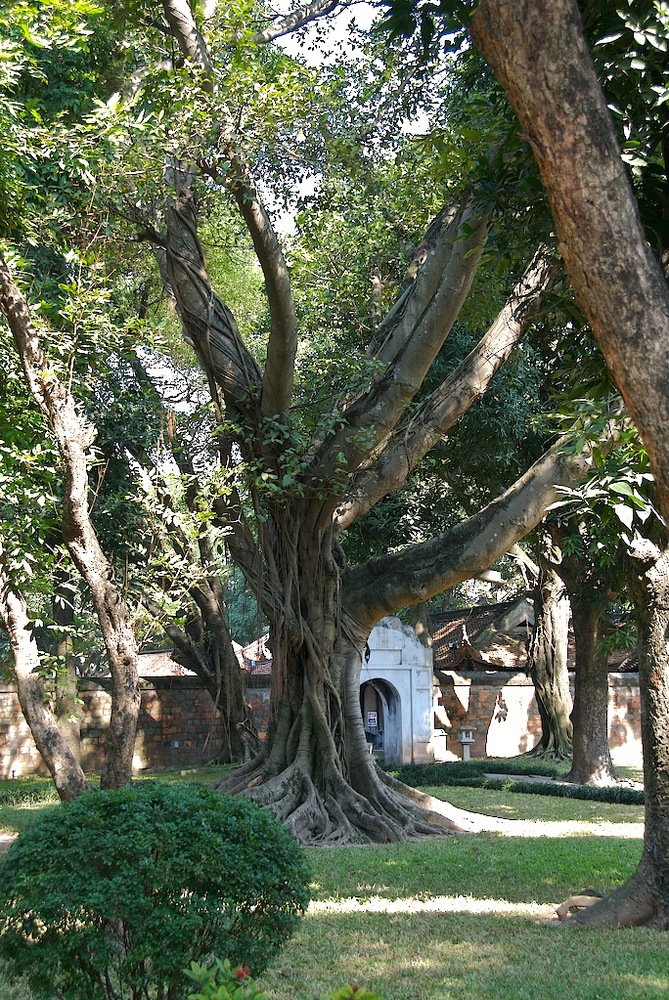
{"x":644,"y":899}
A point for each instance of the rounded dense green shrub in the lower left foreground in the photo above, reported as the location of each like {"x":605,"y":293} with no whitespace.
{"x":116,"y":893}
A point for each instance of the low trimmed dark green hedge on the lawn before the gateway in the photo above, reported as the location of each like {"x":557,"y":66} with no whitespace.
{"x":473,"y":774}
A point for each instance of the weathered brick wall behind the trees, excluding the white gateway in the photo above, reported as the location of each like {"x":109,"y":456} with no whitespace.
{"x":178,"y":726}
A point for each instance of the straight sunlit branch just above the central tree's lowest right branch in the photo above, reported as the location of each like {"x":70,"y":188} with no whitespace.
{"x":442,"y":408}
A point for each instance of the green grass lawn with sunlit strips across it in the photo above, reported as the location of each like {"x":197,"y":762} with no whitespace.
{"x":456,"y":917}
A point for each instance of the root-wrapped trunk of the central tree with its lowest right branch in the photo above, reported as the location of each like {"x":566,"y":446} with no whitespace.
{"x":314,"y":771}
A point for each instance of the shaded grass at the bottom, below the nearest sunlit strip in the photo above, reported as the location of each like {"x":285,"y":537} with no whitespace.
{"x":433,"y":956}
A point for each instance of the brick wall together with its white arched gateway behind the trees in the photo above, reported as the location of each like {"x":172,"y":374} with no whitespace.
{"x":412,"y":709}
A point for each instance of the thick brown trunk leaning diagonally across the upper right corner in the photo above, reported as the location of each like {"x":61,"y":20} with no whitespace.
{"x":541,"y":58}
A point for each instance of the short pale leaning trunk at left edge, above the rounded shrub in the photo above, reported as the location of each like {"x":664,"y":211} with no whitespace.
{"x":63,"y":766}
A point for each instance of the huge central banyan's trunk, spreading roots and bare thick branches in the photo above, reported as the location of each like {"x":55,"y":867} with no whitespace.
{"x":290,"y":495}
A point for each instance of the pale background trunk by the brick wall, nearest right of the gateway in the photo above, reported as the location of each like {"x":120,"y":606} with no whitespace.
{"x":547,"y":662}
